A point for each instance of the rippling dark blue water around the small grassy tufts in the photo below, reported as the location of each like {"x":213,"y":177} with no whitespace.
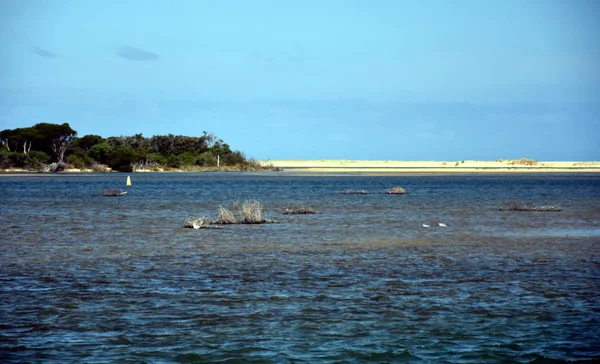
{"x":86,"y":278}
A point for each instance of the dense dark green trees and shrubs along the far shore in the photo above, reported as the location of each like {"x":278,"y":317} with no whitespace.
{"x":35,"y":147}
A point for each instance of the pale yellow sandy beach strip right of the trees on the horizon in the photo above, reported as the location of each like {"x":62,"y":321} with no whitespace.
{"x":466,"y":166}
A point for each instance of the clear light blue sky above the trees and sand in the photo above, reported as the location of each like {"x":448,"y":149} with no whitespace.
{"x":370,"y":80}
